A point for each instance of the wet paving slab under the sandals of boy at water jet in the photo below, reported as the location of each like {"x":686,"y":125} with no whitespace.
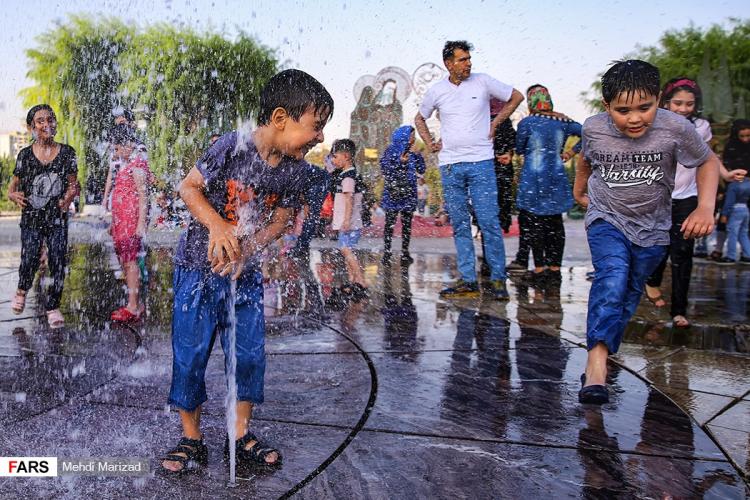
{"x":86,"y":430}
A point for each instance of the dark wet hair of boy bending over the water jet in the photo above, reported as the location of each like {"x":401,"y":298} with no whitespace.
{"x":296,"y":92}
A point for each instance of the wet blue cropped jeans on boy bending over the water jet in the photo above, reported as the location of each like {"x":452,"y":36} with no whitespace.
{"x":199,"y":313}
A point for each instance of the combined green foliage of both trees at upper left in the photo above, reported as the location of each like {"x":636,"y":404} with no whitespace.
{"x":184,"y":84}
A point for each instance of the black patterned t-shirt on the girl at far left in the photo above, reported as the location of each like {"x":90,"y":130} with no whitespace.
{"x":44,"y":186}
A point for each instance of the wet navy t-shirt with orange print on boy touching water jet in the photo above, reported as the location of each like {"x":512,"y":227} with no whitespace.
{"x":244,"y":190}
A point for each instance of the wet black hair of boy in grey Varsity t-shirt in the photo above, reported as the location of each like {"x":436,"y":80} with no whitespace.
{"x":630,"y":77}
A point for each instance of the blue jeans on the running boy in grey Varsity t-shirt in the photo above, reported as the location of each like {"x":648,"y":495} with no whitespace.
{"x":620,"y":272}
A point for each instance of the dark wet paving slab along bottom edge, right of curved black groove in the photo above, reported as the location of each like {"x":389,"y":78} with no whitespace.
{"x":378,"y":465}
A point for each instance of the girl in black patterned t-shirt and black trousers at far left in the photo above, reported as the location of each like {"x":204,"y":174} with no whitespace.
{"x":44,"y":185}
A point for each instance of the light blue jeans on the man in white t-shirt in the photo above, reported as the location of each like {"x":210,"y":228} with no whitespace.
{"x":474,"y":181}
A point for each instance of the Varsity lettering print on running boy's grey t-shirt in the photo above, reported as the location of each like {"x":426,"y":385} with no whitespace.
{"x":622,"y":170}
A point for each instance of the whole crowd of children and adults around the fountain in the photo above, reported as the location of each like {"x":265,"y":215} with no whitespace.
{"x":645,"y":175}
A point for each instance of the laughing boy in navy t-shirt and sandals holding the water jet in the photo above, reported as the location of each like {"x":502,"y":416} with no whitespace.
{"x":241,"y":195}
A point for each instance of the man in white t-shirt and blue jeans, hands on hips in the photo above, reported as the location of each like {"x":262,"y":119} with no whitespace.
{"x":466,"y":162}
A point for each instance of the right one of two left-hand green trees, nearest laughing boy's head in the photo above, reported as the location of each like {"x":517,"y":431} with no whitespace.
{"x":190,"y":85}
